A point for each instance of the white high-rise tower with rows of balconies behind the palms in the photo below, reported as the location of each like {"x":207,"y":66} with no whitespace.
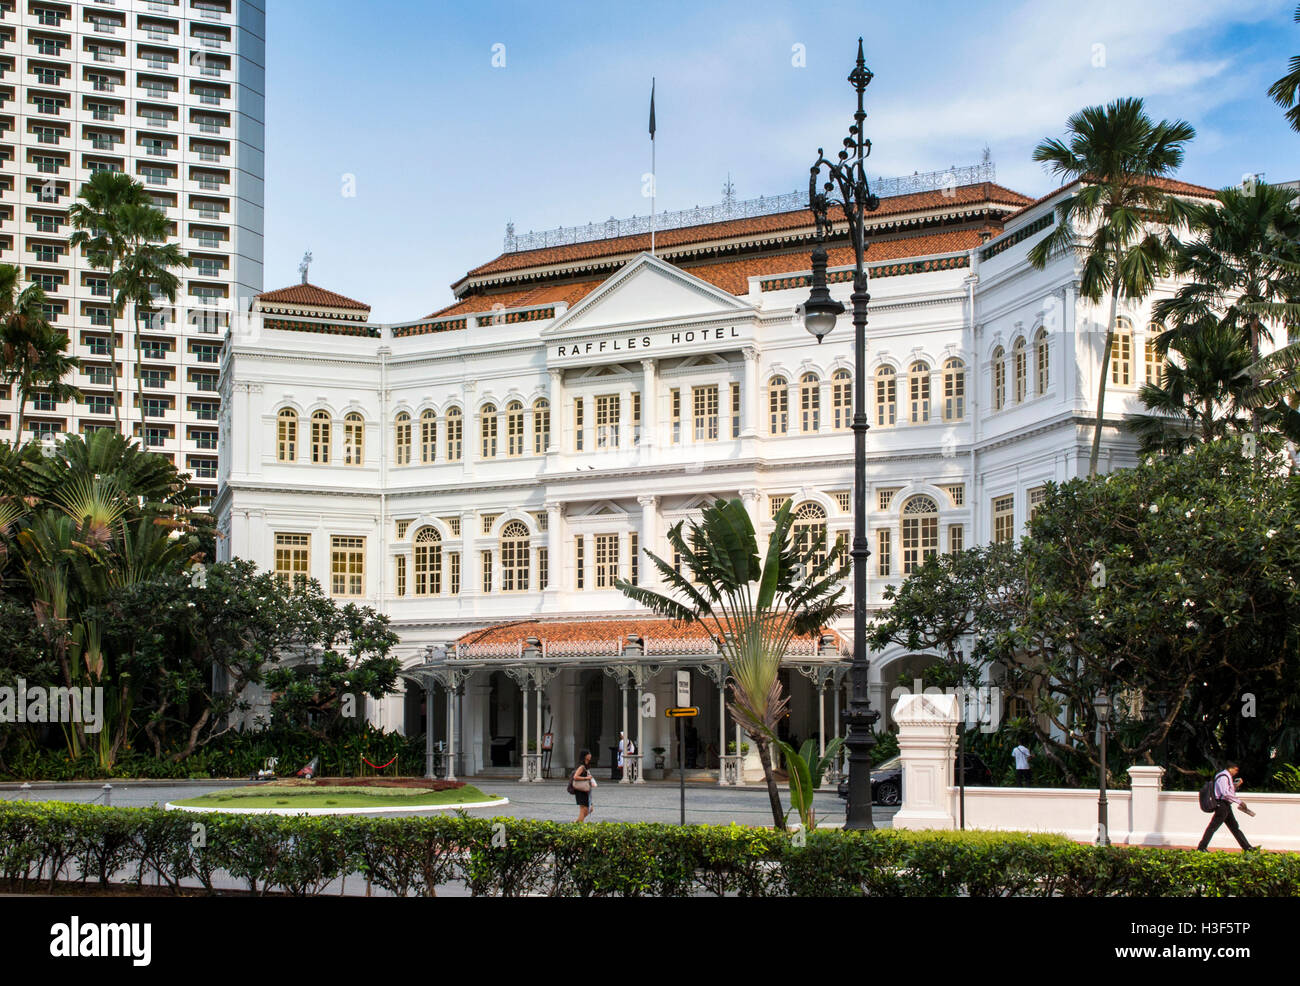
{"x":174,"y":94}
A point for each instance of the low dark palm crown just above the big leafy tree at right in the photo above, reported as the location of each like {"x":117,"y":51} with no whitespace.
{"x":1202,"y":395}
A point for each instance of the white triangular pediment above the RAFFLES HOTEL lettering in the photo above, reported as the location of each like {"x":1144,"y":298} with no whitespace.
{"x":647,"y":291}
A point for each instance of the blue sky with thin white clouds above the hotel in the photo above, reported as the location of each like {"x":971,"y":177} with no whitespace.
{"x":444,"y":148}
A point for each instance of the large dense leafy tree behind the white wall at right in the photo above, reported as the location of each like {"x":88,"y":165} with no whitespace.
{"x":1173,"y":586}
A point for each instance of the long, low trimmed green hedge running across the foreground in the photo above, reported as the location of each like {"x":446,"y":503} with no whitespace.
{"x":47,"y":842}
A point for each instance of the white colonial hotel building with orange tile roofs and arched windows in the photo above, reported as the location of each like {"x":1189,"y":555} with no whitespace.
{"x":484,"y":474}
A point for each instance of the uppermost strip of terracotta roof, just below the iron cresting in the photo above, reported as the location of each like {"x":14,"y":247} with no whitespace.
{"x":895,"y":205}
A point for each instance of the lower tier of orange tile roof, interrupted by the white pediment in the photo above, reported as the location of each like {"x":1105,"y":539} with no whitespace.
{"x":734,"y":275}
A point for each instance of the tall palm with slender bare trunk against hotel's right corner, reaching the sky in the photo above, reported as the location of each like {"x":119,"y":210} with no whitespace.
{"x":1121,"y":159}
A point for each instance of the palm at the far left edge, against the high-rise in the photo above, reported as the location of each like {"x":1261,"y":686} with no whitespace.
{"x":33,"y":356}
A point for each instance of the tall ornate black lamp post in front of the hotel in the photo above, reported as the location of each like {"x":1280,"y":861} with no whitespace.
{"x":847,"y":188}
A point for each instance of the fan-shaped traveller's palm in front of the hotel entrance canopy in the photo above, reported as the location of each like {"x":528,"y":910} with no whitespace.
{"x":753,"y":608}
